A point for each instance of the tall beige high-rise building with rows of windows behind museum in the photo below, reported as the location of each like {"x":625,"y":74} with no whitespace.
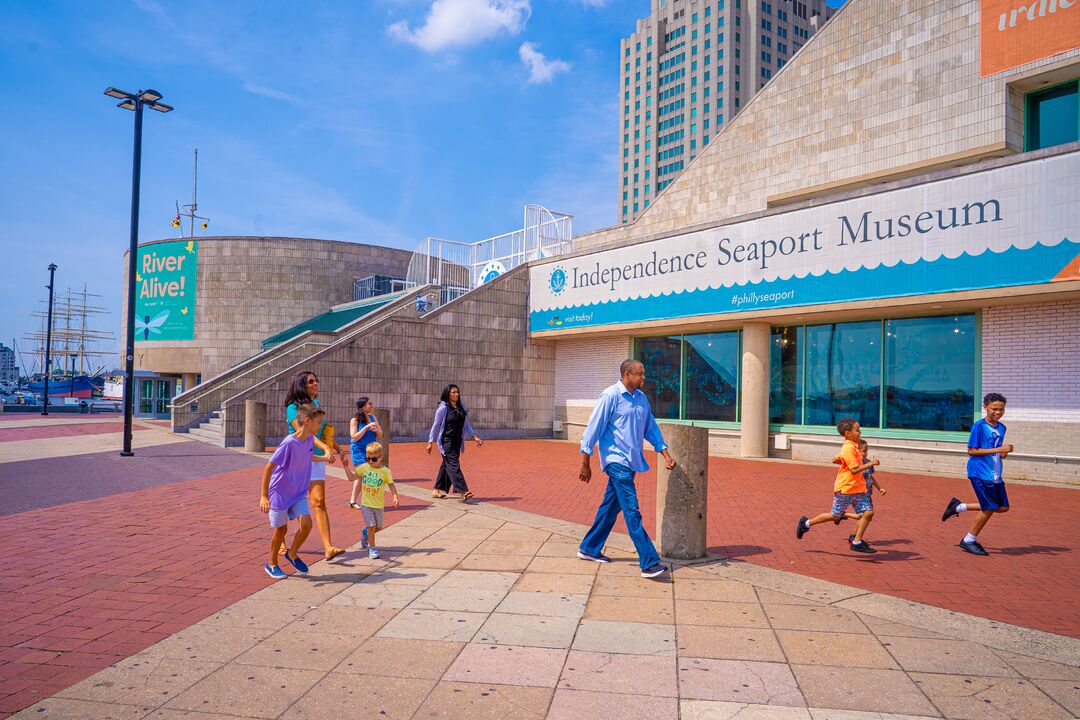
{"x":686,"y":71}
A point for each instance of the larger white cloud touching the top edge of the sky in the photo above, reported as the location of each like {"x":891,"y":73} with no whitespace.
{"x":461,"y":23}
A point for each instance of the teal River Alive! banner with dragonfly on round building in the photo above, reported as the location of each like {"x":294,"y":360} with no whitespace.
{"x":166,"y":292}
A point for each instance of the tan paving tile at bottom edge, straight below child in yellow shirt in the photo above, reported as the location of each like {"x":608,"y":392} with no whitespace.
{"x":341,"y":696}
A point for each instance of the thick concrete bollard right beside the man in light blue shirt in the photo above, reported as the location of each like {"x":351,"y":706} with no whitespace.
{"x":682,"y":494}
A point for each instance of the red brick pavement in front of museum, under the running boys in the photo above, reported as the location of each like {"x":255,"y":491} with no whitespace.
{"x":1033,"y":578}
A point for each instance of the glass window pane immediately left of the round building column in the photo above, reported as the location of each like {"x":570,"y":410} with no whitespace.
{"x":712,"y":377}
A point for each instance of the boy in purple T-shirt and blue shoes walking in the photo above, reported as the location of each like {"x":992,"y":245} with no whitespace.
{"x":286,"y":482}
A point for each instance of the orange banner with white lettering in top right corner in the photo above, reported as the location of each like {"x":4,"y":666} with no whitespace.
{"x":1017,"y":32}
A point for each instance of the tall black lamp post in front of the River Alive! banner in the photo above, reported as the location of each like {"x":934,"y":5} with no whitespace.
{"x":134,"y":102}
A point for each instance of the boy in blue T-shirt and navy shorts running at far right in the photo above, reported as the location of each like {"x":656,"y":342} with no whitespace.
{"x":987,"y":450}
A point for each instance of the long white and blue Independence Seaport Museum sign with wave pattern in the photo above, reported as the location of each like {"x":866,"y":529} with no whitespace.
{"x":1012,"y":226}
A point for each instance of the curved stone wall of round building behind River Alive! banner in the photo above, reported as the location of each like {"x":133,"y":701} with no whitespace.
{"x":250,"y":289}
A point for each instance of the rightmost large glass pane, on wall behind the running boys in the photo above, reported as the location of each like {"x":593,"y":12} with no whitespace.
{"x":930,"y":373}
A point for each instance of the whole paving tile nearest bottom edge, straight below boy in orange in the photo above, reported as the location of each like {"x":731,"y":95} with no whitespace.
{"x":832,"y":687}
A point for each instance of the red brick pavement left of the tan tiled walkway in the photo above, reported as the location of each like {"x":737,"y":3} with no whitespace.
{"x":87,"y":585}
